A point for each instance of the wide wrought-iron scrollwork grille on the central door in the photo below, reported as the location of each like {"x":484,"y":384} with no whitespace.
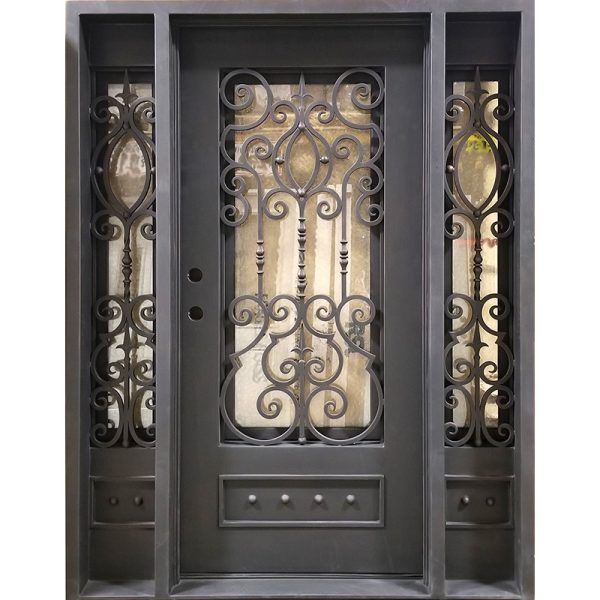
{"x":302,"y":376}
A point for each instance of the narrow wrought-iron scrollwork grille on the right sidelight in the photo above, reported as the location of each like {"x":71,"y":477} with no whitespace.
{"x":478,"y":321}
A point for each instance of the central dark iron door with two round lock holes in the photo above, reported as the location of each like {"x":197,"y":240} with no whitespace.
{"x":301,"y":314}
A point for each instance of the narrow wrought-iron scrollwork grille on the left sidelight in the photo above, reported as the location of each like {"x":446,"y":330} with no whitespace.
{"x":122,"y":361}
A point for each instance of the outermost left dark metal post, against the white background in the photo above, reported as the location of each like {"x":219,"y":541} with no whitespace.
{"x":78,"y":302}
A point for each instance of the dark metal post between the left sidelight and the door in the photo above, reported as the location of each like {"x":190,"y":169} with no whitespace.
{"x":166,"y":302}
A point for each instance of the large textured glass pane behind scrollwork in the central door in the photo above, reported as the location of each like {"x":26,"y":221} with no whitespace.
{"x":302,"y":180}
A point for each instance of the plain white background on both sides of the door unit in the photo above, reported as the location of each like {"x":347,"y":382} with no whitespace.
{"x":32,"y":299}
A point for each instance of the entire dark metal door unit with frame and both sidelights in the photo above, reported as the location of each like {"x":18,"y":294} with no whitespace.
{"x":170,"y":492}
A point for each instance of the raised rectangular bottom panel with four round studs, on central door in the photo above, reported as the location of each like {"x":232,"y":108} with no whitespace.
{"x":301,"y":501}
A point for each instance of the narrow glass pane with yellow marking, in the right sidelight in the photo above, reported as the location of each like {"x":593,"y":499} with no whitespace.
{"x":479,"y":179}
